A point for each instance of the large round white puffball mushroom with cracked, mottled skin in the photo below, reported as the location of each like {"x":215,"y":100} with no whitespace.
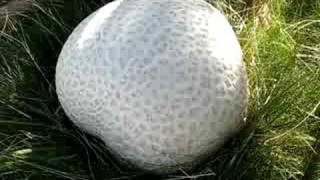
{"x":161,"y":82}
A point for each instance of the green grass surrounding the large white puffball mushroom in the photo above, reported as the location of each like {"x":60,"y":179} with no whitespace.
{"x":281,"y":44}
